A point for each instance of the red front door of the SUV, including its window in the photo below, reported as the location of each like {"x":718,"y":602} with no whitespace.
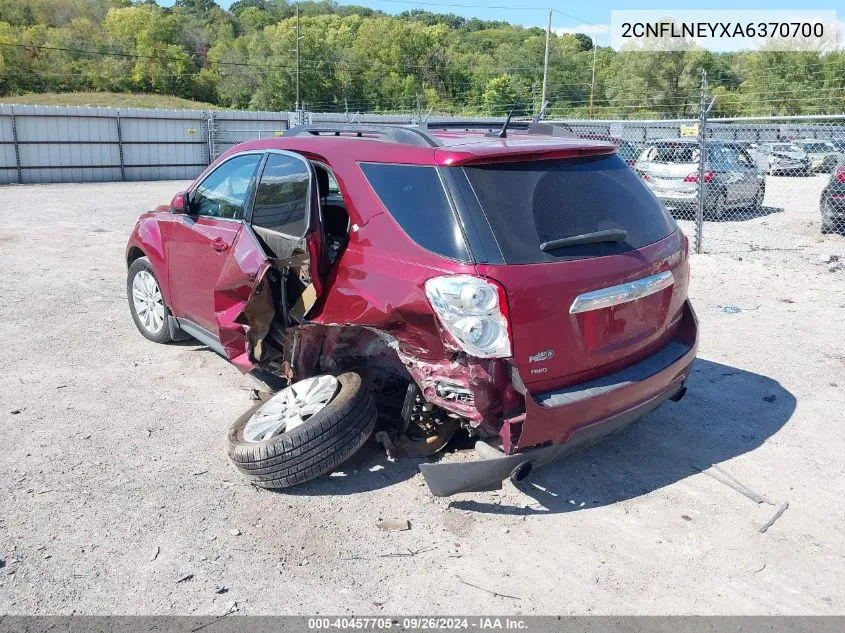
{"x":199,"y":242}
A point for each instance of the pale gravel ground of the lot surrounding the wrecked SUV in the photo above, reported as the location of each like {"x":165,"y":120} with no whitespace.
{"x":117,"y":497}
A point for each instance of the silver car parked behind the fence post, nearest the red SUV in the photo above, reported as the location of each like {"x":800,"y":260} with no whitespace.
{"x":732,"y":179}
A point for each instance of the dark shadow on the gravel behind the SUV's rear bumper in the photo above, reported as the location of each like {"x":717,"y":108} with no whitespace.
{"x":726,"y":412}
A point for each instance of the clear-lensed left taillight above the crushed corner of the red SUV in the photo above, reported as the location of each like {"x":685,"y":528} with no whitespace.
{"x":474,"y":312}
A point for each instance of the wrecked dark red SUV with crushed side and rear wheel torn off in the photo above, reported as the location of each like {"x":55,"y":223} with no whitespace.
{"x":522,"y":284}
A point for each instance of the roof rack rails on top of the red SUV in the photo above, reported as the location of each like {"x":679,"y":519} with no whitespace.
{"x":421,"y":135}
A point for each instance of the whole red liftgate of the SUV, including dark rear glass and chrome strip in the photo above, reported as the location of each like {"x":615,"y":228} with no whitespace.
{"x":563,"y":332}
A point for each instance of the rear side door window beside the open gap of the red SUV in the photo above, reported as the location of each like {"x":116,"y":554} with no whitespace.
{"x":281,"y":201}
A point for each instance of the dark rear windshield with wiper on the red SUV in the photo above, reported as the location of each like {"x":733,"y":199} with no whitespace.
{"x":530,"y":203}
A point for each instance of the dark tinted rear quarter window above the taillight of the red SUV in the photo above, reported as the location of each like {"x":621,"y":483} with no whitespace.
{"x":415,"y":198}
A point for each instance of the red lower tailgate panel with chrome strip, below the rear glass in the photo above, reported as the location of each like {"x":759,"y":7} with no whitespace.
{"x":575,"y":320}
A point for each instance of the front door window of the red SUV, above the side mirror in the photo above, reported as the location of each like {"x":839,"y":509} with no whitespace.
{"x":223,"y":193}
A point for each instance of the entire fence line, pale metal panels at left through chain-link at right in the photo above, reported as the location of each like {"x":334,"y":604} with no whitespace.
{"x":732,"y":184}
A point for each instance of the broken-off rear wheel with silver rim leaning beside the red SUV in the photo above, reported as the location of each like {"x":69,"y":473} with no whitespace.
{"x":302,"y":432}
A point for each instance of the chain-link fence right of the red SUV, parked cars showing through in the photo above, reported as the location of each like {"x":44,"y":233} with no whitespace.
{"x":739,"y":184}
